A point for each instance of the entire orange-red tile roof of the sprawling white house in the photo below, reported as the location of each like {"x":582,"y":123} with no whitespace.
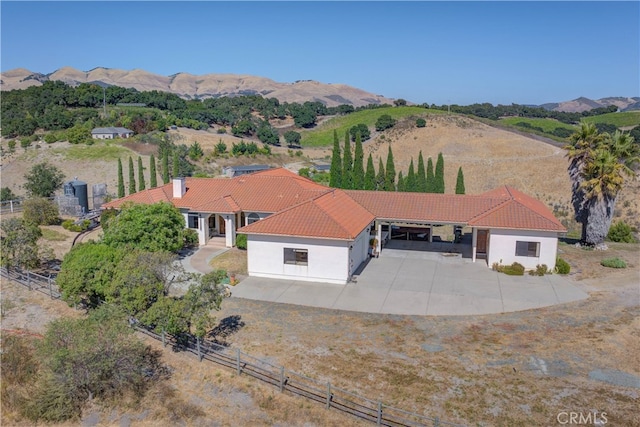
{"x":304,"y":207}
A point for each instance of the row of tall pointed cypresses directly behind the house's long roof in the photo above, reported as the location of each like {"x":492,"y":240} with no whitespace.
{"x":347,"y":171}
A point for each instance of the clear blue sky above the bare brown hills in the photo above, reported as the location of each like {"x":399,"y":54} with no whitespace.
{"x":435,"y":52}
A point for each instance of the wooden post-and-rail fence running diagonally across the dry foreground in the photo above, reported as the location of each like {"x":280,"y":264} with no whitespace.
{"x":285,"y":380}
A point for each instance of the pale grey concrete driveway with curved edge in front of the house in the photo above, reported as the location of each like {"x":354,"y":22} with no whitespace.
{"x":420,"y":283}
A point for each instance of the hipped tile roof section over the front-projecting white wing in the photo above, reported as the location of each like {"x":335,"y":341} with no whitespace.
{"x":333,"y":215}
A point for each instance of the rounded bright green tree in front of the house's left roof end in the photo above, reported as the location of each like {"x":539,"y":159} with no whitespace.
{"x":156,"y":227}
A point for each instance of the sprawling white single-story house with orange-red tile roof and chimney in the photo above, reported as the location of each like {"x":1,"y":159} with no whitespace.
{"x":300,"y":230}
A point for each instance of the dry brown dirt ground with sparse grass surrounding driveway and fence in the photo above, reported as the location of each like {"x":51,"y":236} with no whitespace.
{"x":509,"y":369}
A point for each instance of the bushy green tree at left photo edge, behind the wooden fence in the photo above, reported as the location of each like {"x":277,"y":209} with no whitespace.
{"x":19,"y":244}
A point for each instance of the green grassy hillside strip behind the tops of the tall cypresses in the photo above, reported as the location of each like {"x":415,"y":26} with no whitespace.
{"x":323,"y":135}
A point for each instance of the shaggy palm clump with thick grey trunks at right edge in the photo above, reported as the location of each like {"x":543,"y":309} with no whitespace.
{"x":598,"y":166}
